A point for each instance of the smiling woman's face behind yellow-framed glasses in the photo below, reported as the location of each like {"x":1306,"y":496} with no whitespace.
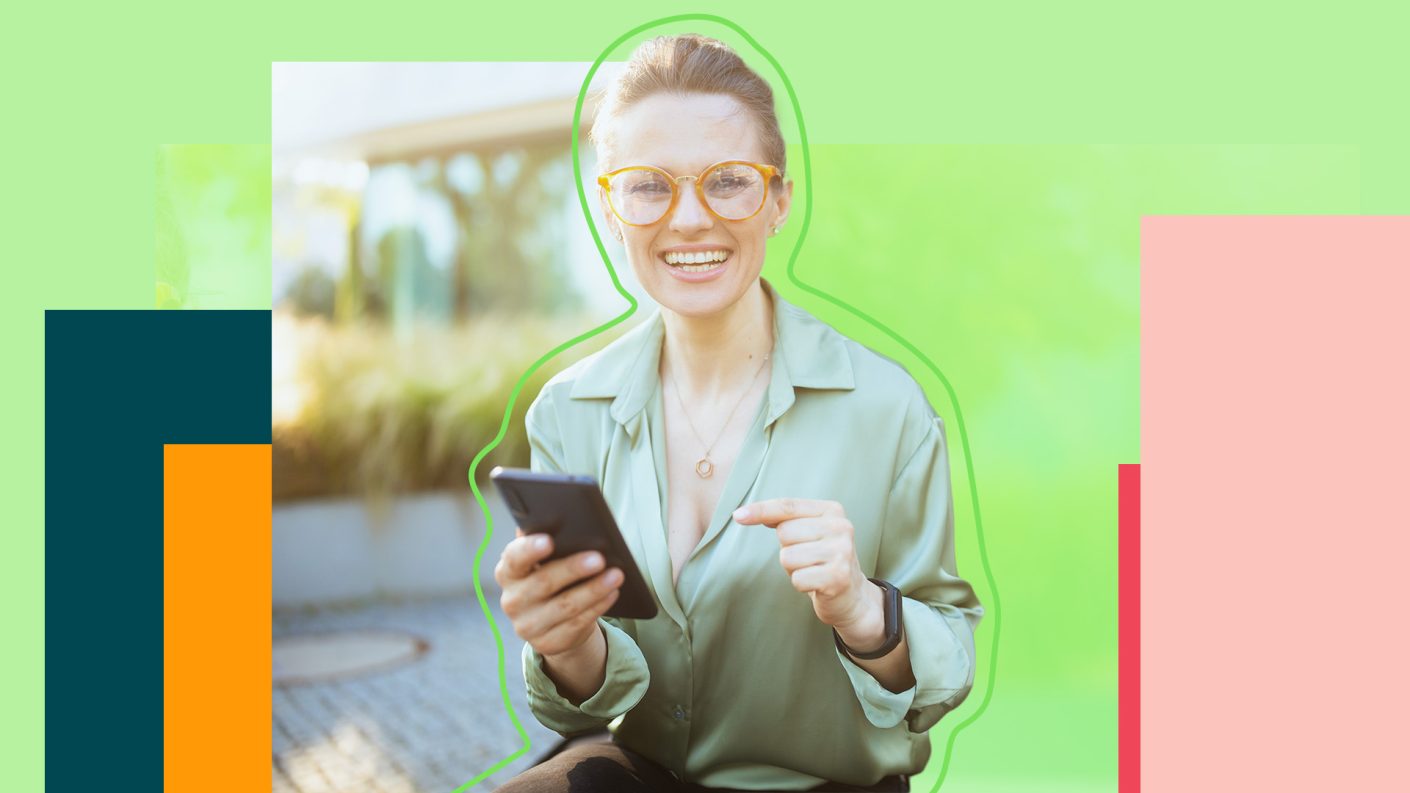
{"x":683,"y":136}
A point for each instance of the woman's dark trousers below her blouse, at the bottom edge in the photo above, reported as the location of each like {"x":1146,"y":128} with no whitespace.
{"x":611,"y":768}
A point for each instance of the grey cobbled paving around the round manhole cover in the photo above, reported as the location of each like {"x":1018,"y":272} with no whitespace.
{"x":425,"y":727}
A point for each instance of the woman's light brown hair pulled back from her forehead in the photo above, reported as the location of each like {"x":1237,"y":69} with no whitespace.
{"x":692,"y":64}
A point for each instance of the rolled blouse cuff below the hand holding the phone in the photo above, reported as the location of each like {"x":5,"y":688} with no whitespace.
{"x":625,"y":684}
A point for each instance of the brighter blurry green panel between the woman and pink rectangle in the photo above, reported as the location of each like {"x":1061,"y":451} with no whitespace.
{"x":1016,"y":269}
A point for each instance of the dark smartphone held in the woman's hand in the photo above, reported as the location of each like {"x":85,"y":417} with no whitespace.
{"x":572,"y":509}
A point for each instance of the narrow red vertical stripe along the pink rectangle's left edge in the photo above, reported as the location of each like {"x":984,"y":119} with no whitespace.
{"x":1129,"y":627}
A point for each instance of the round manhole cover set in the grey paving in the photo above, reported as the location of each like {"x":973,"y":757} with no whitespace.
{"x":315,"y":658}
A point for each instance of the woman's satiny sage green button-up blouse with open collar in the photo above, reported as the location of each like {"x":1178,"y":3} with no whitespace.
{"x":735,"y":682}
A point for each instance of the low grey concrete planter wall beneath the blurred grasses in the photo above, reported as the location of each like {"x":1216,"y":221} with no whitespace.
{"x":339,"y":551}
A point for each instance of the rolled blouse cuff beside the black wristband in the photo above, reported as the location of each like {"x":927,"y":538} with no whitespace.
{"x":940,"y":664}
